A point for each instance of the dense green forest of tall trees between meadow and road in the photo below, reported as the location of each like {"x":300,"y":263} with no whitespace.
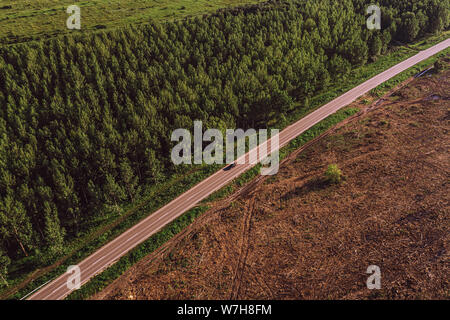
{"x":86,"y":119}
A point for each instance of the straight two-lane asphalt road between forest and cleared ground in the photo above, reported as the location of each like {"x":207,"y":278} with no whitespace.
{"x":111,"y":252}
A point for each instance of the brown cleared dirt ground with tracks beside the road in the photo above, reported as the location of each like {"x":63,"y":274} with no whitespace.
{"x":294,"y":236}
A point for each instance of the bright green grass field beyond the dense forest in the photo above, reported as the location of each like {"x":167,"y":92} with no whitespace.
{"x":23,"y":20}
